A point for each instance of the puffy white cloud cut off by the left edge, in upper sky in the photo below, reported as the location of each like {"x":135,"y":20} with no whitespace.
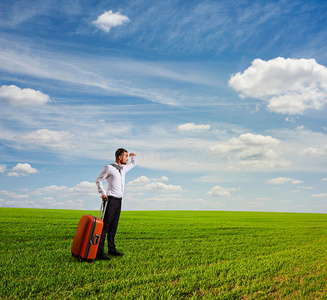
{"x":16,"y":96}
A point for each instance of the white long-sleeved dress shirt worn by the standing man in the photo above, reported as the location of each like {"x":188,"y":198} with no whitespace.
{"x":115,"y":176}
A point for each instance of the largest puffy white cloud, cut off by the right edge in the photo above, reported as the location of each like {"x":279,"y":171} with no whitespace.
{"x":291,"y":86}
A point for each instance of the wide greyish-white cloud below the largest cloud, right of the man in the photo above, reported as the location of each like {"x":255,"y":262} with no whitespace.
{"x":253,"y":150}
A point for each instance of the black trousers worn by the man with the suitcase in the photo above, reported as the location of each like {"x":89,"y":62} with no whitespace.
{"x":110,"y":224}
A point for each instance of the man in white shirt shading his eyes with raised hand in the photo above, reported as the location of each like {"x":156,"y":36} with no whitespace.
{"x":115,"y":175}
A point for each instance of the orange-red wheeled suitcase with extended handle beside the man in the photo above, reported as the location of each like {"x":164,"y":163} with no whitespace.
{"x":87,"y":237}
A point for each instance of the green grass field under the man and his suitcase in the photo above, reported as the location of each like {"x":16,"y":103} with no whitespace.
{"x":168,"y":255}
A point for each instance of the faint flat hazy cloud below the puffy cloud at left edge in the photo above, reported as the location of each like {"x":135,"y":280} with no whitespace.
{"x":59,"y":140}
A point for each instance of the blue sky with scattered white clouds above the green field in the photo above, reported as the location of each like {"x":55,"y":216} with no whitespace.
{"x":224,"y":103}
